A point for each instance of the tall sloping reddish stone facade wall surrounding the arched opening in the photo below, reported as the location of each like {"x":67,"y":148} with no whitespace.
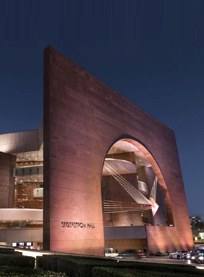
{"x":83,"y":118}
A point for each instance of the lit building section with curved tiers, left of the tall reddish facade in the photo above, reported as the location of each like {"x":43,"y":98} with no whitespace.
{"x":21,"y":182}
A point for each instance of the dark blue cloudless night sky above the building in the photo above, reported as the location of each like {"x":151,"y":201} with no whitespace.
{"x":151,"y":52}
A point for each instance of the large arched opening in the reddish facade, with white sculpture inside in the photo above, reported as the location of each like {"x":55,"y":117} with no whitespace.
{"x":134,"y":195}
